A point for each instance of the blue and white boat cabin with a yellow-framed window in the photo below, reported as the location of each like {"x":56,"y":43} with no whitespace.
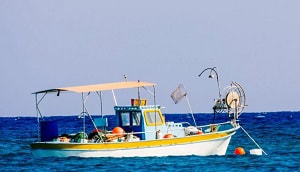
{"x":146,"y":122}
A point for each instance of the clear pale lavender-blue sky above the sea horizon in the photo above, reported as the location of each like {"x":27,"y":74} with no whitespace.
{"x":51,"y":44}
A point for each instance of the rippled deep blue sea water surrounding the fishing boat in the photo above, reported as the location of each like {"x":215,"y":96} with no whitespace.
{"x":276,"y":132}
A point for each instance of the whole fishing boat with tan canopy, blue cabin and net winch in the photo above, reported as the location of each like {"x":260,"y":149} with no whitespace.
{"x":141,"y":129}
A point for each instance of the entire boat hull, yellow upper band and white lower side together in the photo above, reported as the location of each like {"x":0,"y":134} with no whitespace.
{"x":199,"y":145}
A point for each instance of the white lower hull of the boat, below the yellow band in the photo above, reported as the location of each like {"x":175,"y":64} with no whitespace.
{"x":201,"y":148}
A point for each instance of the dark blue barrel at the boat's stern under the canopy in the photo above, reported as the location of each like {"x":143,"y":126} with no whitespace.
{"x":49,"y":130}
